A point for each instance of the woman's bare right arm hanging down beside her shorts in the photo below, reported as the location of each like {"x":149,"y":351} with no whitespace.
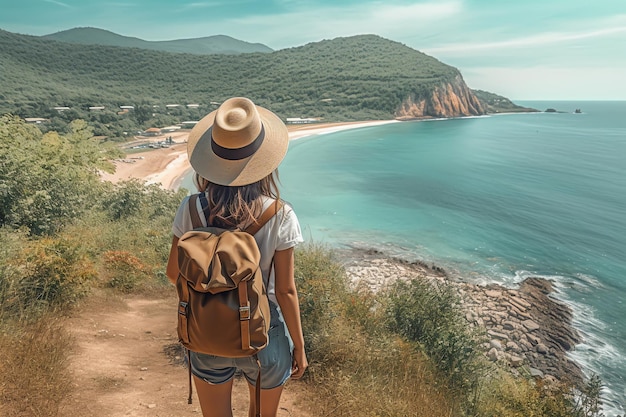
{"x":287,"y":297}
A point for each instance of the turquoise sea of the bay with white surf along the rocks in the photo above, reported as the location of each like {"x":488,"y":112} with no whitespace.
{"x":491,"y":199}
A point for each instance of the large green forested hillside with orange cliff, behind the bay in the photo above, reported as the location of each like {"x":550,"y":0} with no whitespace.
{"x":362,"y":77}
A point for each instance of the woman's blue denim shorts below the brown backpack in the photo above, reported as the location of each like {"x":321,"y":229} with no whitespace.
{"x":275,"y":358}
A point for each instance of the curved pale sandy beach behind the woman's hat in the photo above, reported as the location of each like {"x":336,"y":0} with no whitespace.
{"x":166,"y":166}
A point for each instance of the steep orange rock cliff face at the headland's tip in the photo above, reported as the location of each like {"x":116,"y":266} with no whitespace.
{"x":452,"y":99}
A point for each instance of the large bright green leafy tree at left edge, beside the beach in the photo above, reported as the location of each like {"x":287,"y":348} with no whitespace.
{"x":47,"y":180}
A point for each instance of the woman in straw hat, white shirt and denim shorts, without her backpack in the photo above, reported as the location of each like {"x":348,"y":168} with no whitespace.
{"x":235,"y":152}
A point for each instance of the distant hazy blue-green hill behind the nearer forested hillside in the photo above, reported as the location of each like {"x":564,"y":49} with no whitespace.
{"x":218,"y":44}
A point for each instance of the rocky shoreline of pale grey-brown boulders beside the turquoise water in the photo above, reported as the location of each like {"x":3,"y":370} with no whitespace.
{"x":527,"y":330}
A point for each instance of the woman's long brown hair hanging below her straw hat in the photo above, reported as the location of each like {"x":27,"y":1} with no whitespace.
{"x":239,"y":205}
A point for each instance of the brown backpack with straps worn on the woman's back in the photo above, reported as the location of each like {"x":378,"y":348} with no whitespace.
{"x":223,"y":308}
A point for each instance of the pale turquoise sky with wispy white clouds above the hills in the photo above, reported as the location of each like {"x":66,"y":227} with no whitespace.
{"x":525,"y":50}
